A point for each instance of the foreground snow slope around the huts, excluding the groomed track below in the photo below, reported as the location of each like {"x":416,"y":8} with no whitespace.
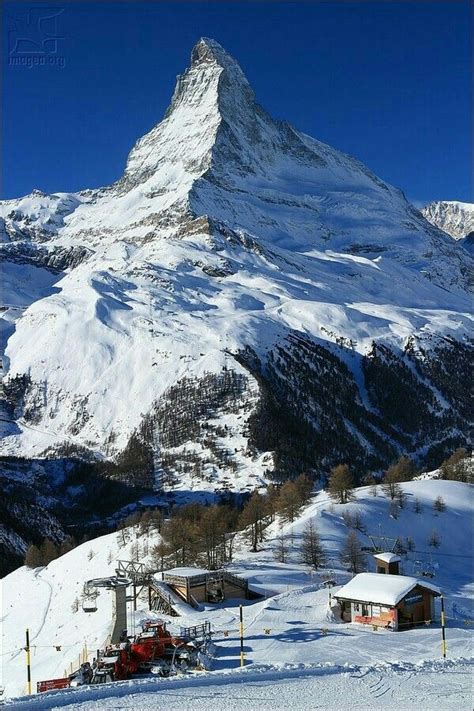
{"x":295,"y":609}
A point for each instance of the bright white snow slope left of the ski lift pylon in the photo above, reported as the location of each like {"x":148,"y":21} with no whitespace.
{"x":49,"y":602}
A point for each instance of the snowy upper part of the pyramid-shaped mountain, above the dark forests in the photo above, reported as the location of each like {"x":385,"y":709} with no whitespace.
{"x":228,"y":229}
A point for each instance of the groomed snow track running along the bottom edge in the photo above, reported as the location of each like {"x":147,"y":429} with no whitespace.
{"x":430,"y":685}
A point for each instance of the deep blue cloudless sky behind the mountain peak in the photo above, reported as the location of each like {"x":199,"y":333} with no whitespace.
{"x":387,"y":82}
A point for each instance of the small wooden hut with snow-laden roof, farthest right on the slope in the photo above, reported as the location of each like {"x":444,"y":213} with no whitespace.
{"x":391,"y":601}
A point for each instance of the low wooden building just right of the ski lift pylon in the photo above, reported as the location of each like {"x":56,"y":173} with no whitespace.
{"x":195,"y":585}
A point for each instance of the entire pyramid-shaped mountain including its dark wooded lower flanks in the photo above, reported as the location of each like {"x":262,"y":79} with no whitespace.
{"x":243,"y":300}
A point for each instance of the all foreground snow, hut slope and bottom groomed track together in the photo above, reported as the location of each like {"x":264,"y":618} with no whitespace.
{"x":297,"y":654}
